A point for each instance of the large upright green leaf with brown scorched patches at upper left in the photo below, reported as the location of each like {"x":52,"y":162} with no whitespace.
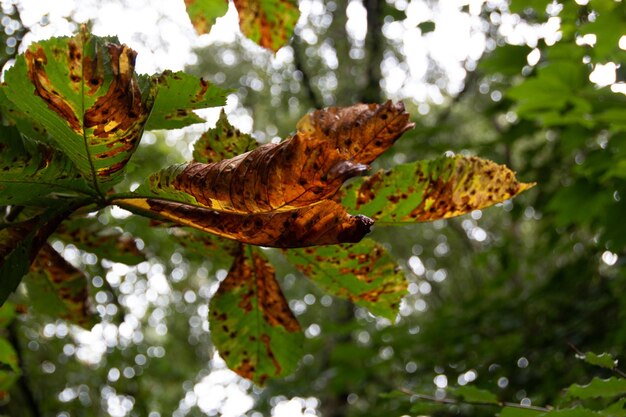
{"x":84,"y":92}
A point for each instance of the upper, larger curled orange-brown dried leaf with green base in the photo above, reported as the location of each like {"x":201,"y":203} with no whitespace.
{"x":329,"y":147}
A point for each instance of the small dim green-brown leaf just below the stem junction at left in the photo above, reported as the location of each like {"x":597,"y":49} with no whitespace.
{"x":105,"y":242}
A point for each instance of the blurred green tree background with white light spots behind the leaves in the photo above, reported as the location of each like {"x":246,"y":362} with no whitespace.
{"x":500,"y":300}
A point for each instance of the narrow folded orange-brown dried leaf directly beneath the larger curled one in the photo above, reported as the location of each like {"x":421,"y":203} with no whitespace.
{"x":326,"y":223}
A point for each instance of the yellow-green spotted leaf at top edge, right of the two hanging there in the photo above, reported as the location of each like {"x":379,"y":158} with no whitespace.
{"x":269,"y":23}
